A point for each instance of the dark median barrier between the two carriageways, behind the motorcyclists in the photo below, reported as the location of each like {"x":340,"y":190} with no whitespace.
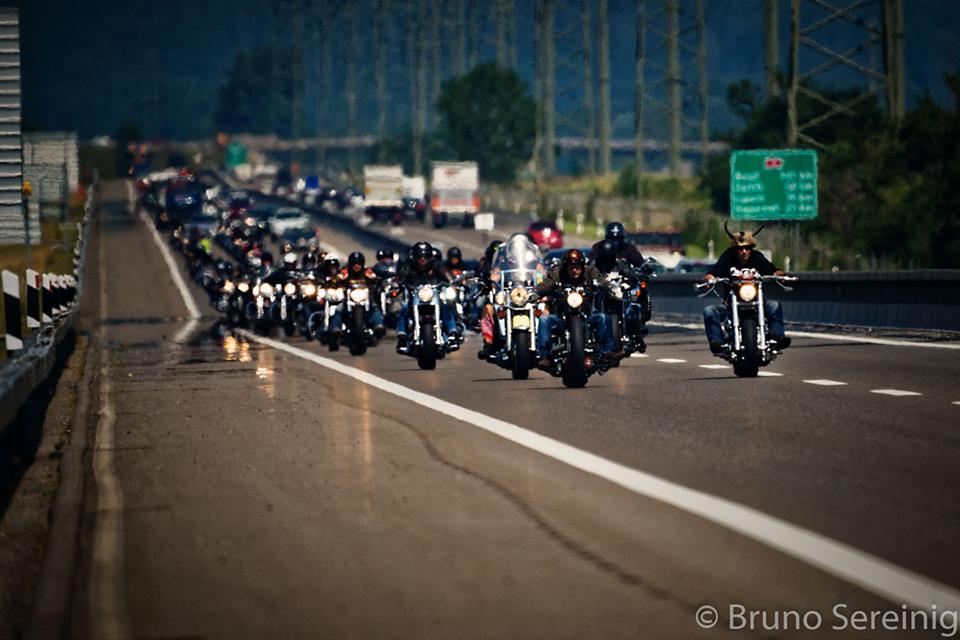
{"x":928,"y":299}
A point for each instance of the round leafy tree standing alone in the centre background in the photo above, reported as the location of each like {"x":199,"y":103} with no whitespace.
{"x":488,"y":117}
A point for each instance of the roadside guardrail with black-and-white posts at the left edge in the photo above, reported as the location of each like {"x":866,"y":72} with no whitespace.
{"x":24,"y":374}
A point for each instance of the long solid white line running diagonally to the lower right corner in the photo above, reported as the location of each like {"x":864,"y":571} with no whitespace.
{"x":836,"y":558}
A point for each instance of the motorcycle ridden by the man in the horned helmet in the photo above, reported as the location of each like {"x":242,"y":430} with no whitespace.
{"x":747,"y":344}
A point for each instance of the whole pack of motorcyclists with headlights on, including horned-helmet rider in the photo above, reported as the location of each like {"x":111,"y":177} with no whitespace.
{"x":571,"y":317}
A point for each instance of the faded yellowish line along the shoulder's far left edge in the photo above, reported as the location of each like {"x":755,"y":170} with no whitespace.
{"x":107,"y":602}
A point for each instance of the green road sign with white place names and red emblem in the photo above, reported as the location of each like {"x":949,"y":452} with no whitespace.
{"x":778,"y":184}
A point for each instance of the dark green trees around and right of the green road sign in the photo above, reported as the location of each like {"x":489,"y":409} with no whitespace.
{"x":889,"y":197}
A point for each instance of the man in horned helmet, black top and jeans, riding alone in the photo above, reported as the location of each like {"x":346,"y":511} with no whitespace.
{"x":742,"y":254}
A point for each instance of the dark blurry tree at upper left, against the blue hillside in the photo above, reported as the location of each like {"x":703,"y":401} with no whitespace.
{"x":255,"y":99}
